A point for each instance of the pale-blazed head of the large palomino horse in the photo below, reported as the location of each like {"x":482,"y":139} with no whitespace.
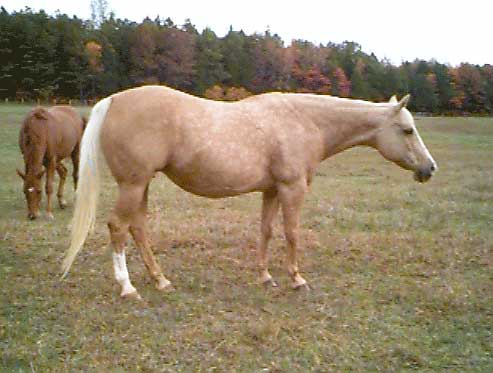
{"x":398,"y":140}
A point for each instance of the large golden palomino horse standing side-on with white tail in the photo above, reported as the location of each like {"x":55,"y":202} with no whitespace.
{"x":270,"y":143}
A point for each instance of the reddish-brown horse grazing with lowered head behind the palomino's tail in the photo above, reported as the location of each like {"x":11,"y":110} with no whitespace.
{"x":46,"y":137}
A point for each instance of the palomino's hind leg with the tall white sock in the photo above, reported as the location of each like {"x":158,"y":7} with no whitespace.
{"x":126,"y":208}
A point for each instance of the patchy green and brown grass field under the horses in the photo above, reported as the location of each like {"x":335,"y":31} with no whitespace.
{"x":401,"y":273}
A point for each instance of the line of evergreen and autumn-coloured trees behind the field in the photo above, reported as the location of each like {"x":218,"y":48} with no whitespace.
{"x":45,"y":57}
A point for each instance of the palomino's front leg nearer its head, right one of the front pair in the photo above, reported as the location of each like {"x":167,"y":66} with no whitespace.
{"x":291,"y":197}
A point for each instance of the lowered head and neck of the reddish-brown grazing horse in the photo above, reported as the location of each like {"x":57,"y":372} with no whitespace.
{"x":33,"y":142}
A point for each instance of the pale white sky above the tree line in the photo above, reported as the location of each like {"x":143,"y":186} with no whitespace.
{"x":447,"y":31}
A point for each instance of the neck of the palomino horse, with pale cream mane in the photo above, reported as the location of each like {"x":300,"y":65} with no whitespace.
{"x":344,"y":123}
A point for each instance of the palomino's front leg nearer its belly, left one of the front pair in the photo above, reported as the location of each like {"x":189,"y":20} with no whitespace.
{"x":270,"y":206}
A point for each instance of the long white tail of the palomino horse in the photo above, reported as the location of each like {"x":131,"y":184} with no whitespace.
{"x":88,"y":187}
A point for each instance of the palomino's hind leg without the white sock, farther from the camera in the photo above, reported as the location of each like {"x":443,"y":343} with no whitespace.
{"x":138,"y":229}
